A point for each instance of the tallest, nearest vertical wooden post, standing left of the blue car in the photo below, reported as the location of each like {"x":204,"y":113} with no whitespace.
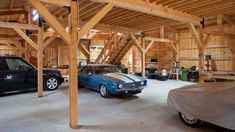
{"x":73,"y":82}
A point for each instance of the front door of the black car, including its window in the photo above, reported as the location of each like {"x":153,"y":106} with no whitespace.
{"x":15,"y":76}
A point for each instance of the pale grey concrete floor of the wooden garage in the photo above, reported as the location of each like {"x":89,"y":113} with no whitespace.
{"x":145,"y":112}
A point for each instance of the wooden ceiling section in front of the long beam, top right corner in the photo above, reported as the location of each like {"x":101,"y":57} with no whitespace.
{"x":204,"y":8}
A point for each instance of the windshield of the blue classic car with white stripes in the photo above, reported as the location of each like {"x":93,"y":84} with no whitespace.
{"x":105,"y":69}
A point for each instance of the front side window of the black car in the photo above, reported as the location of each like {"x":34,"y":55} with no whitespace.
{"x":17,"y":65}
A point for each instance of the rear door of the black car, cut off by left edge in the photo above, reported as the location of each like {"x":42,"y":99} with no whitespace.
{"x":3,"y":76}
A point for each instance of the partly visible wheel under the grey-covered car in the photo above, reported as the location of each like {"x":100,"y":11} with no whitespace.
{"x":189,"y":120}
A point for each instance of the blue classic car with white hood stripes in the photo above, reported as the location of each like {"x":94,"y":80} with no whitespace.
{"x":108,"y":80}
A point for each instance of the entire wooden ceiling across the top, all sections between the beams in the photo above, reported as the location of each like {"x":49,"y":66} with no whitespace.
{"x":10,"y":10}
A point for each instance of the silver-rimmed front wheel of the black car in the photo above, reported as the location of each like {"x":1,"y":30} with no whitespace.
{"x":51,"y":83}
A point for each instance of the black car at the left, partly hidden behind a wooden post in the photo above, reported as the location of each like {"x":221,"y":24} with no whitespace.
{"x":17,"y":74}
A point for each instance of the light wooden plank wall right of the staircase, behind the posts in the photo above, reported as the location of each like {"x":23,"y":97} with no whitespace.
{"x":220,"y":46}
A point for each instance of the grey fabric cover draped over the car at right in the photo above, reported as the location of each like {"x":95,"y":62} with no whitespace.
{"x":210,"y":102}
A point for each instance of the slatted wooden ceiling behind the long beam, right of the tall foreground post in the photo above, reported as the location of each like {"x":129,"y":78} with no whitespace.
{"x":122,"y":17}
